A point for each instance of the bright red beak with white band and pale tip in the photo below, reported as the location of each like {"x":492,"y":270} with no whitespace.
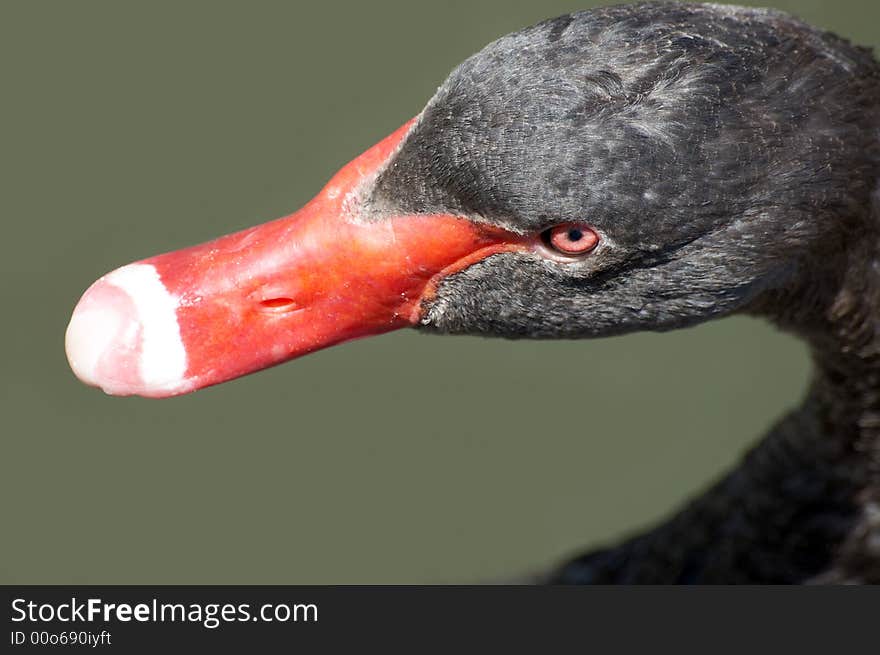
{"x":199,"y":316}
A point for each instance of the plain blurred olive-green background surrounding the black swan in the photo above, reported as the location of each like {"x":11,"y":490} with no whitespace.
{"x":129,"y":130}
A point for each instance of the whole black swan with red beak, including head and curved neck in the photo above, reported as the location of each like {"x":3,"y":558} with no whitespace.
{"x":641,"y":167}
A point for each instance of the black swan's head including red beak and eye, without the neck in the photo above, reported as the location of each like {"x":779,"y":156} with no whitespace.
{"x":637,"y":167}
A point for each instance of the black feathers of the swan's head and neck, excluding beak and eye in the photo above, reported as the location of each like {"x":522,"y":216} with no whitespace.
{"x":729,"y":159}
